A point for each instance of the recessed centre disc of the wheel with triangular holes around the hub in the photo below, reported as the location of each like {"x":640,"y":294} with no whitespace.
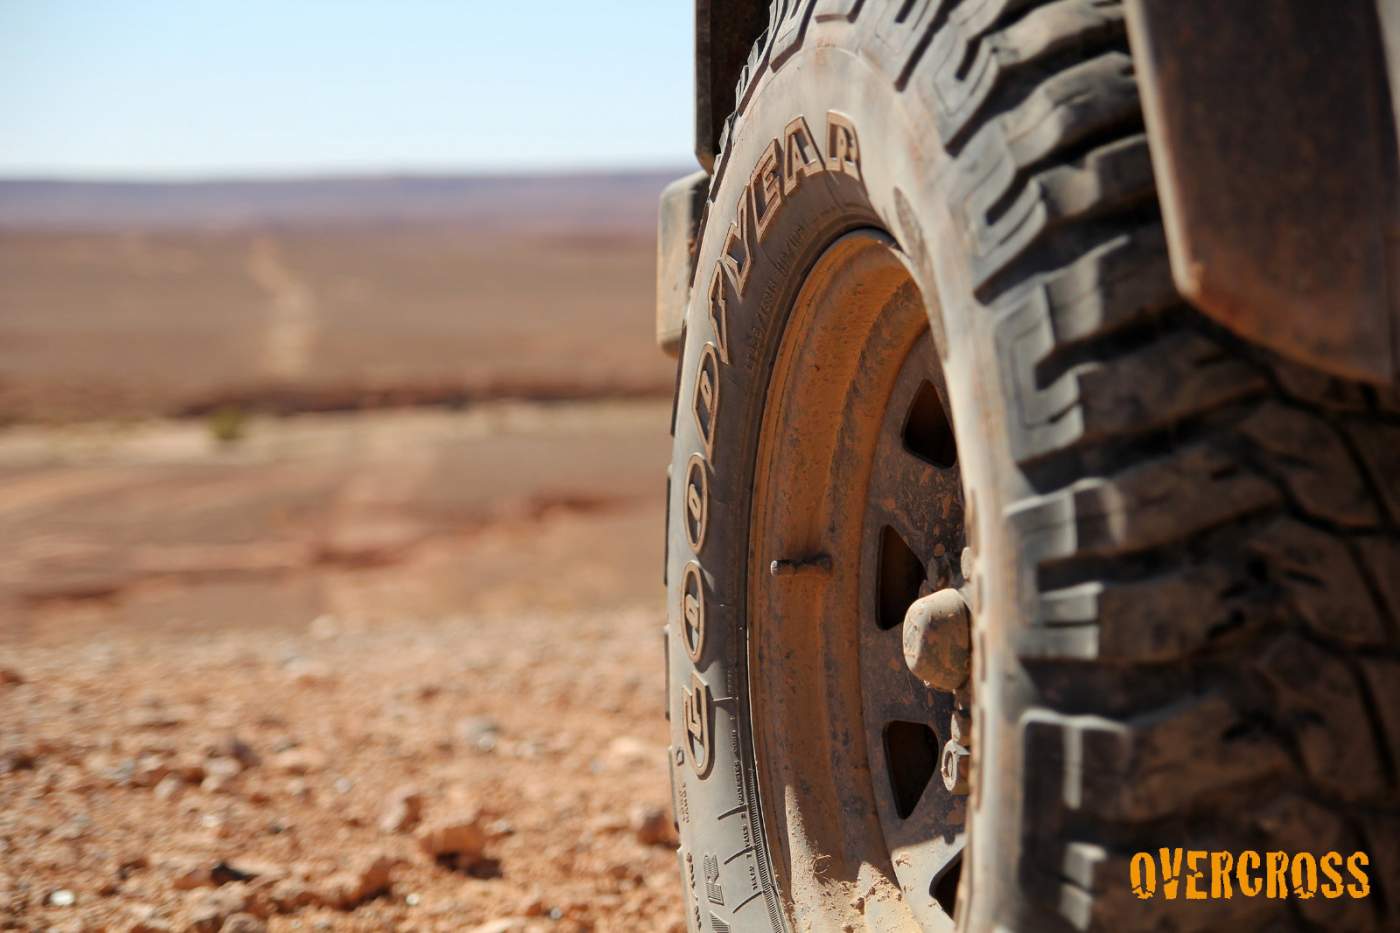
{"x":912,"y":543}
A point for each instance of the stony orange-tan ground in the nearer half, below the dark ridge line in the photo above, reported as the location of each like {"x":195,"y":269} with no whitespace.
{"x":393,"y":670}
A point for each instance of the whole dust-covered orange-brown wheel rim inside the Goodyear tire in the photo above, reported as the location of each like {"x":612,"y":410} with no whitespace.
{"x":857,"y":512}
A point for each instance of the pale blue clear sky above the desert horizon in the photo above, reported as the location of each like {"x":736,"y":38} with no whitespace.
{"x":258,"y":88}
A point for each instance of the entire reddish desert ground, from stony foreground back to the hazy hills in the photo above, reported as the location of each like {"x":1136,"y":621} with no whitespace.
{"x":330,"y":572}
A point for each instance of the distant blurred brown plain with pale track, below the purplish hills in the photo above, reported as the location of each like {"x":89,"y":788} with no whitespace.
{"x":106,"y":324}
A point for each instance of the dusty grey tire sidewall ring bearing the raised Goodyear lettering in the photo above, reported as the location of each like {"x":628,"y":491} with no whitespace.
{"x":901,"y":188}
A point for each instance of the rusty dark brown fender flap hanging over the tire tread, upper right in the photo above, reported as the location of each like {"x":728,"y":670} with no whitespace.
{"x":1273,"y":139}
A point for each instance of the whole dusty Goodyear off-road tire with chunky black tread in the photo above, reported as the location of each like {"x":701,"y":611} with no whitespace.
{"x":1188,"y":564}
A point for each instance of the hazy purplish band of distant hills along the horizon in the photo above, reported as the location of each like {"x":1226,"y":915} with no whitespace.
{"x":604,"y":201}
